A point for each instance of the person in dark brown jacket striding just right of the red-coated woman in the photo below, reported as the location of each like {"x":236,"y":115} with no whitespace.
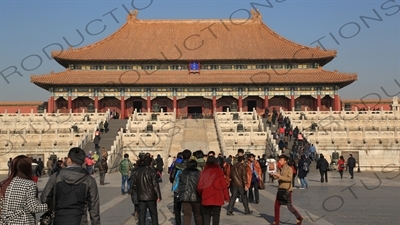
{"x":238,"y":186}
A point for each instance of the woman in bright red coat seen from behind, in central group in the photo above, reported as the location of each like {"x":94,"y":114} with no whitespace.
{"x":213,"y":191}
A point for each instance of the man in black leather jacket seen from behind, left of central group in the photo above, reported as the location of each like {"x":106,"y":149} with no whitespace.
{"x":145,"y":183}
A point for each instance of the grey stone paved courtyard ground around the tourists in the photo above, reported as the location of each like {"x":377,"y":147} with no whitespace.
{"x":369,"y":198}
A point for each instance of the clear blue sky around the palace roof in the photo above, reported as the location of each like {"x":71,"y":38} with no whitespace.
{"x":26,"y":27}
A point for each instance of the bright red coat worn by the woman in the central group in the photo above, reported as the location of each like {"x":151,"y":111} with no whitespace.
{"x":212,"y":186}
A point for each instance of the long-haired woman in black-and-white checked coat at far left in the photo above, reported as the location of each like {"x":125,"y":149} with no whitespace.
{"x":19,"y":194}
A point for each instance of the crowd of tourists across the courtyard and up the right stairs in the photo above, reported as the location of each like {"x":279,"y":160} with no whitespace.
{"x":201,"y":183}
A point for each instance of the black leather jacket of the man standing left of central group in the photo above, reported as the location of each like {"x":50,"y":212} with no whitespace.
{"x":146,"y":185}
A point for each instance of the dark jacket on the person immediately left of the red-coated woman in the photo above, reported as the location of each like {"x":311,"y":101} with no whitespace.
{"x":187,"y":188}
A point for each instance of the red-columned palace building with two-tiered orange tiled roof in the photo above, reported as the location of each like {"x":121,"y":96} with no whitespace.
{"x":193,"y":66}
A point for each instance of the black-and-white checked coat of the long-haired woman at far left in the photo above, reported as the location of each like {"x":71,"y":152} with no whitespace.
{"x":20,"y":203}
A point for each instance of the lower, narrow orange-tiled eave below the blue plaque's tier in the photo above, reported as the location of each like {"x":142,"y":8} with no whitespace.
{"x":182,"y":77}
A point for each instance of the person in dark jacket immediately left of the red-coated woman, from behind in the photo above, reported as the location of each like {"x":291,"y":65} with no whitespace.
{"x":187,"y":191}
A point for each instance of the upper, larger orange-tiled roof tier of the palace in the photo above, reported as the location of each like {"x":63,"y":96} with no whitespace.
{"x":231,"y":39}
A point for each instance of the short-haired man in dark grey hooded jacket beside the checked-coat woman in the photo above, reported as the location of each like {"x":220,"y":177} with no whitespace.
{"x":76,"y":192}
